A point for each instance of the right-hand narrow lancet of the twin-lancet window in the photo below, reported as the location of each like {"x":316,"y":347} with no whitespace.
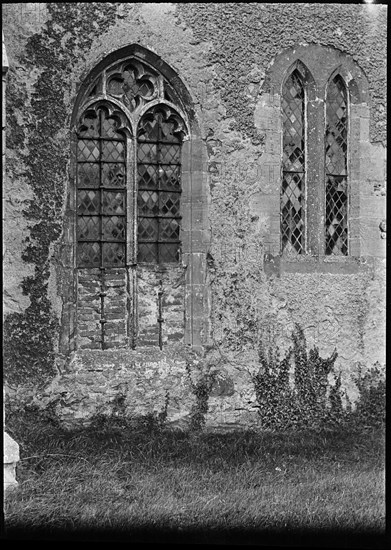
{"x":336,"y":218}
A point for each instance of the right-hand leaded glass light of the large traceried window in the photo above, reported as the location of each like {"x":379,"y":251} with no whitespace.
{"x":159,"y":187}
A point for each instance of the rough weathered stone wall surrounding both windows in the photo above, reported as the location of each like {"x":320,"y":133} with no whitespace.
{"x":233,"y":282}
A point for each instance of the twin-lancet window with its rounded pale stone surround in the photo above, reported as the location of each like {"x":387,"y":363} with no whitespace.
{"x":317,"y":66}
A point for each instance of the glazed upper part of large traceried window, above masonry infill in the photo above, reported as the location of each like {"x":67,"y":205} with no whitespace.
{"x":103,"y":142}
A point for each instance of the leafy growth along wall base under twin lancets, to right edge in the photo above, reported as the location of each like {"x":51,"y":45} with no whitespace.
{"x":311,"y":401}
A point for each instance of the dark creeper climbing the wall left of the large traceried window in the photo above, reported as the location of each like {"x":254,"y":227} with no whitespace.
{"x":29,"y":337}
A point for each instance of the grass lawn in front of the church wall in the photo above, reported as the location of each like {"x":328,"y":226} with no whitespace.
{"x":113,"y":481}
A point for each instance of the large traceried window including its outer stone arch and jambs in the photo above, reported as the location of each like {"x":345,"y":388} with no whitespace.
{"x":112,"y":209}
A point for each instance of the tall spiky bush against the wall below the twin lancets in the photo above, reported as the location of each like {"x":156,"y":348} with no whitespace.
{"x":295,"y":391}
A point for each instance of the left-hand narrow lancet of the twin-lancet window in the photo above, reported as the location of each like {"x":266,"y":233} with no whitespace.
{"x":293,"y":181}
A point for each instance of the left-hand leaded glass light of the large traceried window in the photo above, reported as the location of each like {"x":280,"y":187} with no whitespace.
{"x":101,"y":193}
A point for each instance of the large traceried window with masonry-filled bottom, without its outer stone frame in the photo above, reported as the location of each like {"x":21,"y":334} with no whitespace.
{"x":129,"y":134}
